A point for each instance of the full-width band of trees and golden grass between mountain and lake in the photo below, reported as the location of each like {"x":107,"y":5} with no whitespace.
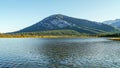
{"x":58,"y":34}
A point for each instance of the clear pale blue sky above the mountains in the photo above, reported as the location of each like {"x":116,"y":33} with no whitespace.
{"x":18,"y":14}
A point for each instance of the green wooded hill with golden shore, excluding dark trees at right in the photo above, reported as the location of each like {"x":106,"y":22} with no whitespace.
{"x":46,"y":34}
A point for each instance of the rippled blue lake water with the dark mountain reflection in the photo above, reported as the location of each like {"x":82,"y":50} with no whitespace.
{"x":59,"y":53}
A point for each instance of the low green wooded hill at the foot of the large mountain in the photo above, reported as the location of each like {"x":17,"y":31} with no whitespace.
{"x":52,"y":32}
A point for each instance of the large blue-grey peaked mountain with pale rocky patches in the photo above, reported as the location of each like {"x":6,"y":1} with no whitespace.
{"x":62,"y":22}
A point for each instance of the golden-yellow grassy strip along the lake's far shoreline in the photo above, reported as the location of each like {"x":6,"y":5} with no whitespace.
{"x":51,"y":36}
